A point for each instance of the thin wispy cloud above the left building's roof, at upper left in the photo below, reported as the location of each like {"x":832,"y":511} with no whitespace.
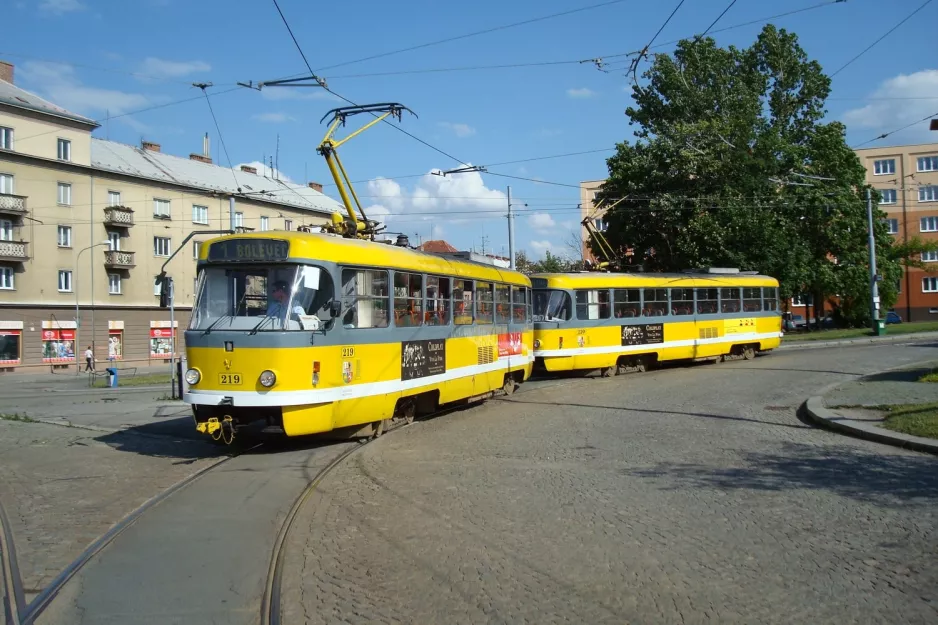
{"x":58,"y":83}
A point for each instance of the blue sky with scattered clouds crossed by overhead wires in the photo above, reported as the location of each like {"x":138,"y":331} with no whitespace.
{"x":93,"y":56}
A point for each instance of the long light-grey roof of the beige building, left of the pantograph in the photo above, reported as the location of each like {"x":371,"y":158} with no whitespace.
{"x":133,"y":161}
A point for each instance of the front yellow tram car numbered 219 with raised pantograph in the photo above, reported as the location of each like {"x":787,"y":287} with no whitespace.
{"x":315,"y":332}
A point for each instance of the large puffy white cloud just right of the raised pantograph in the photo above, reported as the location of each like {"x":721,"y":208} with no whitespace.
{"x":452,"y":198}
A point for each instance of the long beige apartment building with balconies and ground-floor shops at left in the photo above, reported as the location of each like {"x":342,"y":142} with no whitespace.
{"x":87,"y":224}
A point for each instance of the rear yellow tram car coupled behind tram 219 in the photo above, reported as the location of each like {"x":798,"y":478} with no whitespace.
{"x":617,"y":322}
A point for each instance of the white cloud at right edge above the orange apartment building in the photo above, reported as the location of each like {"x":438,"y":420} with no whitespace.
{"x":889,"y":114}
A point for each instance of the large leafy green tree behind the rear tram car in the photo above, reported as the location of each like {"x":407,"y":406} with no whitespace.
{"x":733,"y":166}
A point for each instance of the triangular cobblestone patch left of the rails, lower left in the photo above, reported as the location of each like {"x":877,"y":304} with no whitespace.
{"x":63,"y":487}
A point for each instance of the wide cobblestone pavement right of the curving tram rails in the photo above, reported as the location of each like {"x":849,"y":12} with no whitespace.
{"x":688,"y":495}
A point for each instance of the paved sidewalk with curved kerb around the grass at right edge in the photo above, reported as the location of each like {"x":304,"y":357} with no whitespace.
{"x":900,"y":386}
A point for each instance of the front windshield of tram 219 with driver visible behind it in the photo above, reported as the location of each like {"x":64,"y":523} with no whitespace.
{"x":261,"y":298}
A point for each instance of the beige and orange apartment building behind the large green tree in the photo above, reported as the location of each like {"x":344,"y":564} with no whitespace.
{"x":907,"y":178}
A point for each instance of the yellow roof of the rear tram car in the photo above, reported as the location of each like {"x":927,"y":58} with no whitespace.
{"x":583,"y":280}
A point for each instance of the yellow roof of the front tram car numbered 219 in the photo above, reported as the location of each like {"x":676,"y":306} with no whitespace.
{"x":357,"y":252}
